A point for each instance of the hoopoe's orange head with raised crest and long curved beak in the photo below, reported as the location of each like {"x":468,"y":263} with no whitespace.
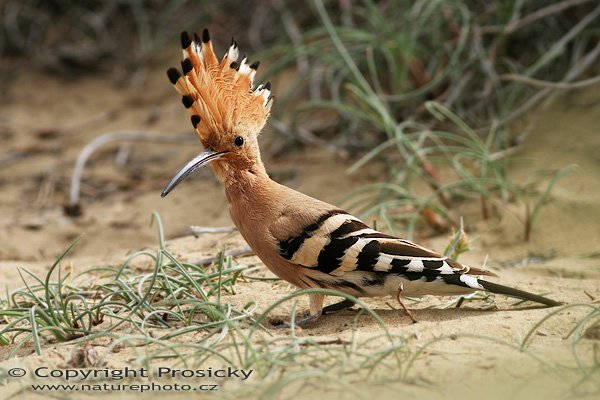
{"x":226,"y":111}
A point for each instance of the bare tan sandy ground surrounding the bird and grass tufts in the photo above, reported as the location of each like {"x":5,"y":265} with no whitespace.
{"x":43,"y":129}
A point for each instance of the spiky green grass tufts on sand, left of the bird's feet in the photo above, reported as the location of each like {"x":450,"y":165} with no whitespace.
{"x":179,"y":296}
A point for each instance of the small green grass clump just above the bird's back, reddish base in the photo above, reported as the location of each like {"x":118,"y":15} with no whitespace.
{"x":479,"y":172}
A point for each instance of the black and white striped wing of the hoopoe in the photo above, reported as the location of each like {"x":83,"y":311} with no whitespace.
{"x":338,"y":243}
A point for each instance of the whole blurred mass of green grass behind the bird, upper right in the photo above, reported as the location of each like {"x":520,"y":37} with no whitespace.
{"x":423,"y":87}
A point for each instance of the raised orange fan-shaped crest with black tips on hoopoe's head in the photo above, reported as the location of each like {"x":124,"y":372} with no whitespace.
{"x":219,"y":95}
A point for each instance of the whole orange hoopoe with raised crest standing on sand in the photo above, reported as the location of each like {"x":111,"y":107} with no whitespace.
{"x":305,"y":241}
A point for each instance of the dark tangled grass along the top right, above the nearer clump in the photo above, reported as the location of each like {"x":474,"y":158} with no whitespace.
{"x":377,"y":63}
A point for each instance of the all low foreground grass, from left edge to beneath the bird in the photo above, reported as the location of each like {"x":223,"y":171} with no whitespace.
{"x":178,"y":312}
